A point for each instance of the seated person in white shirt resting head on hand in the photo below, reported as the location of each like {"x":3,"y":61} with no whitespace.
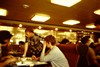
{"x":53,"y":55}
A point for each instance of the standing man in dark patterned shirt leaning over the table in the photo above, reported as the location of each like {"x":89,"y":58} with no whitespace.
{"x":33,"y":46}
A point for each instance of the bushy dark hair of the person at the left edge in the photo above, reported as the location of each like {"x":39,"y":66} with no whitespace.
{"x":4,"y":35}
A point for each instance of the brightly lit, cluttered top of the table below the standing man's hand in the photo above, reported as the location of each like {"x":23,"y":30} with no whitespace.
{"x":27,"y":61}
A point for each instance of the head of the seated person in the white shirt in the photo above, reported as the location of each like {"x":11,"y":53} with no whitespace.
{"x":50,"y":40}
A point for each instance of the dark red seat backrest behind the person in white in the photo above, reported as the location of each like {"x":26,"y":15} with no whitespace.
{"x":71,"y":53}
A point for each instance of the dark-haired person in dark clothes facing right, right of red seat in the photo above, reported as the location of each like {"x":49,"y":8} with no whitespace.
{"x":87,"y":54}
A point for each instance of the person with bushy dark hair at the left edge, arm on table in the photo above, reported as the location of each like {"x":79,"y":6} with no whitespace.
{"x":5,"y":37}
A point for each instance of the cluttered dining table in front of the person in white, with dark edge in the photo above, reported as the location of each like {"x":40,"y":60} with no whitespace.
{"x":28,"y":62}
